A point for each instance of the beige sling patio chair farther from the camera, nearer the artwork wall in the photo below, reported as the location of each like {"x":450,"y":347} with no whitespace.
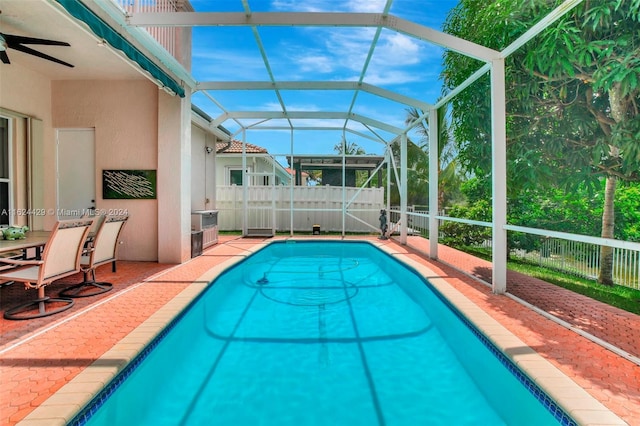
{"x":102,"y":249}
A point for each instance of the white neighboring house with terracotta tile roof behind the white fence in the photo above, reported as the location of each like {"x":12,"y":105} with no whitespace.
{"x":262,"y":168}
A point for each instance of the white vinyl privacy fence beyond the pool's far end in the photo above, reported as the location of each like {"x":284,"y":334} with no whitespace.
{"x":312,"y":205}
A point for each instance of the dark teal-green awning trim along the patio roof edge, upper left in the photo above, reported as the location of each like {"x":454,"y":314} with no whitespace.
{"x":79,"y":11}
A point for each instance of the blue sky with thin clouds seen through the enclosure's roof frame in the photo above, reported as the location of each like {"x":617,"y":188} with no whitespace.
{"x":401,"y":64}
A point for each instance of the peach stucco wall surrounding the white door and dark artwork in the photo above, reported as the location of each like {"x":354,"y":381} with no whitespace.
{"x":124,"y":115}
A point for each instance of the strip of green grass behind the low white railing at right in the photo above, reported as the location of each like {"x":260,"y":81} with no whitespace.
{"x":621,"y":297}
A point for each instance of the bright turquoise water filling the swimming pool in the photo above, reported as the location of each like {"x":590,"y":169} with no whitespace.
{"x":321,"y":333}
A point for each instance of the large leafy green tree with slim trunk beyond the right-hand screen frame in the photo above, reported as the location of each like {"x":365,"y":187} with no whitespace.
{"x":573,"y":97}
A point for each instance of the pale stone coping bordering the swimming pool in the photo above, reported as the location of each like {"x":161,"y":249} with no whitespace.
{"x":68,"y":401}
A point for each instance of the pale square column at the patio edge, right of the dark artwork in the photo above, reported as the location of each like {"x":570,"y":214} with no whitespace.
{"x":174,"y":178}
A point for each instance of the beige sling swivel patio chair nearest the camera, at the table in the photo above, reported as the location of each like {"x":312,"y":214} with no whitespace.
{"x":60,"y":258}
